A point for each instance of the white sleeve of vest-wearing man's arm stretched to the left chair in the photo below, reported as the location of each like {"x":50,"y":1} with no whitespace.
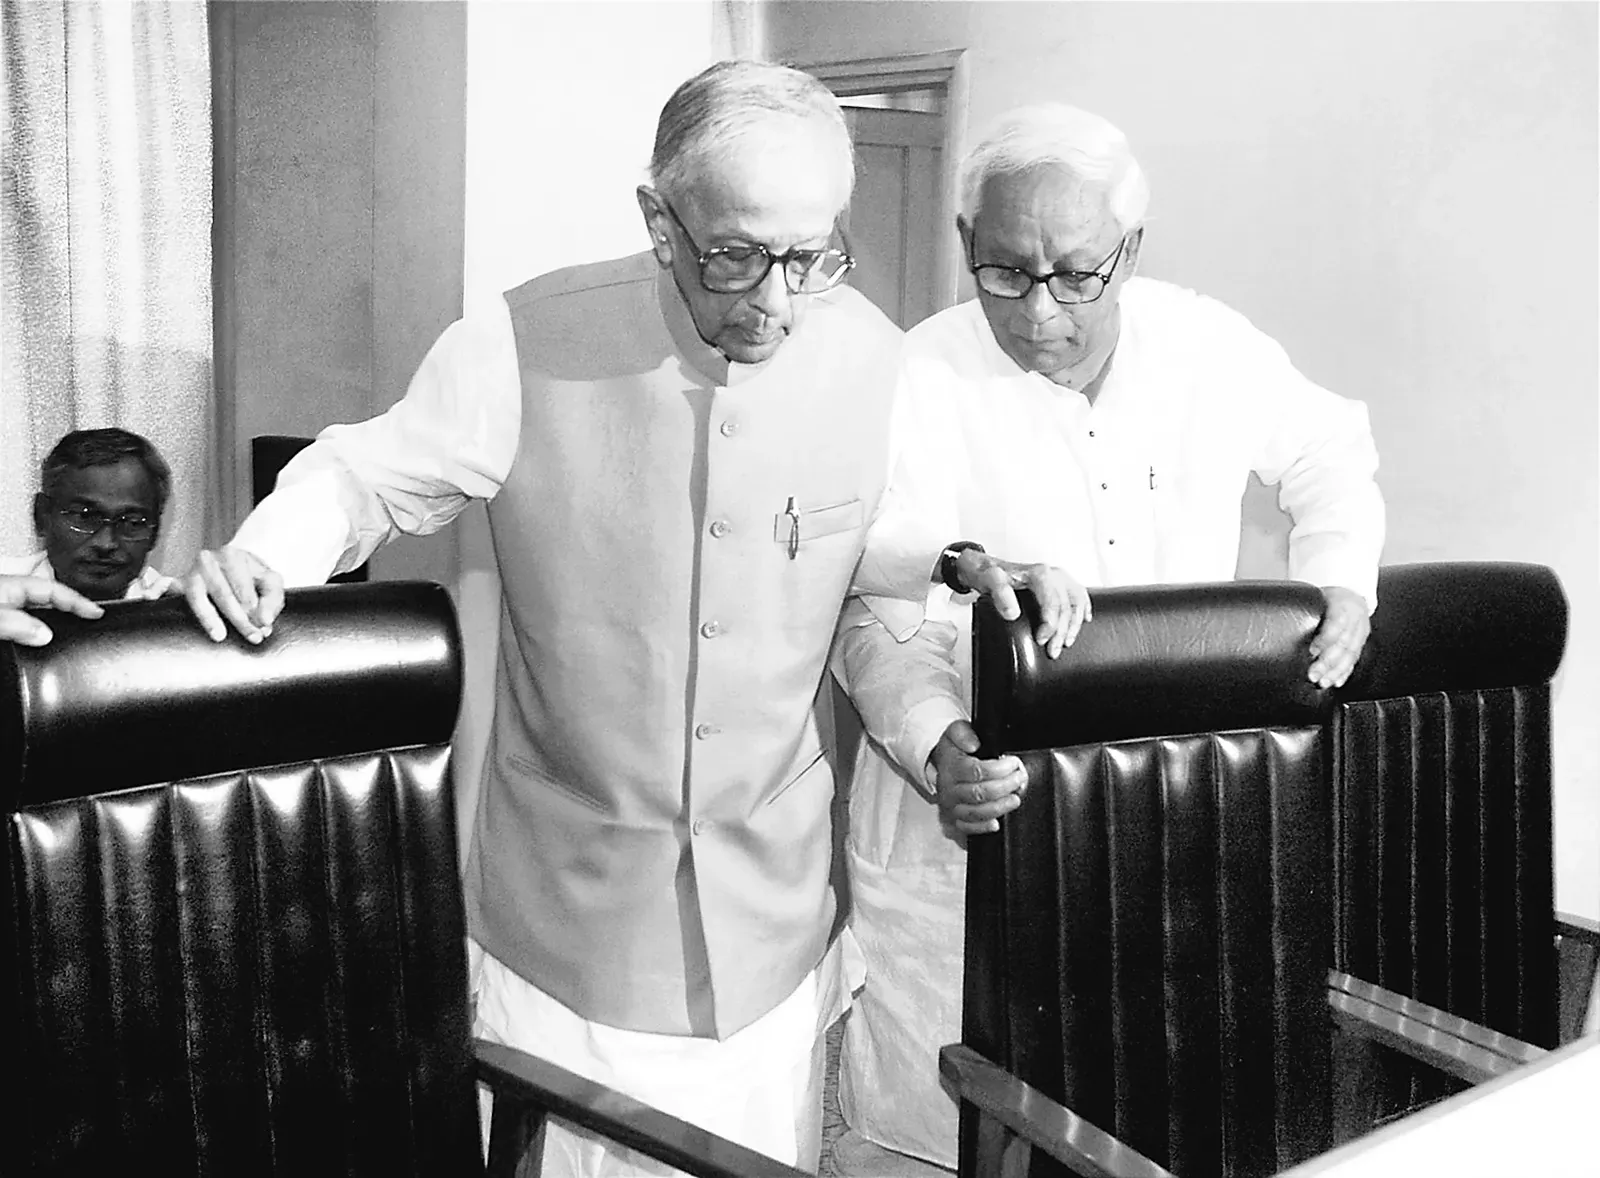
{"x":452,"y":439}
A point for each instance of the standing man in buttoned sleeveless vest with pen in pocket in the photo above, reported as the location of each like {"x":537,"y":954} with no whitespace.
{"x":682,"y":452}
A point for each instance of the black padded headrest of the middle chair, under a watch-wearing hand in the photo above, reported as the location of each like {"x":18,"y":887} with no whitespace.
{"x":1158,"y":660}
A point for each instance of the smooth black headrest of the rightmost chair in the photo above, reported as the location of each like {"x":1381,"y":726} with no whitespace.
{"x":1462,"y":627}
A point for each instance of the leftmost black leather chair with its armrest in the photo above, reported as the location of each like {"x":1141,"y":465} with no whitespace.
{"x":234,"y":934}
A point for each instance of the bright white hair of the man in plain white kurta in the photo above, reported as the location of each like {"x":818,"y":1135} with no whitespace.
{"x":1055,"y":135}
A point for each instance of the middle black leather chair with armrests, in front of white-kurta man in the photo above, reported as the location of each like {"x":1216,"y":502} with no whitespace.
{"x":1150,"y":937}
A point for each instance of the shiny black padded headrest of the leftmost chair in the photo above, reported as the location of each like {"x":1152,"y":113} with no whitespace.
{"x":142,"y":695}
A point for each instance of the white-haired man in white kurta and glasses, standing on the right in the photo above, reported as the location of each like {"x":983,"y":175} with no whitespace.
{"x":1082,"y":417}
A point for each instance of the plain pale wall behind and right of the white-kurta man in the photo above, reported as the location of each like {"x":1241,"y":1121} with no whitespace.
{"x":1406,"y":198}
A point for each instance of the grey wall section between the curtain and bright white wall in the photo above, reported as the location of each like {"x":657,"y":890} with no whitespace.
{"x":343,"y":146}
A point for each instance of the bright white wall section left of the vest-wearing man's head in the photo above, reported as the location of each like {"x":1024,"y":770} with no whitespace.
{"x":562,"y":103}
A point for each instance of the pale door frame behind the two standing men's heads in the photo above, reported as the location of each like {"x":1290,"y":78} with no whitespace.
{"x":943,"y":71}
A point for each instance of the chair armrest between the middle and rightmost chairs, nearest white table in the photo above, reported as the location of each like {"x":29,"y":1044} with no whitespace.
{"x":1457,"y":1046}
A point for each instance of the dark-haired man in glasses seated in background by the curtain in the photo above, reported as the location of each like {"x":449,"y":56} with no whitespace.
{"x":98,"y":513}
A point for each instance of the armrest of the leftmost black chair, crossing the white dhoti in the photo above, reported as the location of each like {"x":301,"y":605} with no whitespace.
{"x":551,"y":1089}
